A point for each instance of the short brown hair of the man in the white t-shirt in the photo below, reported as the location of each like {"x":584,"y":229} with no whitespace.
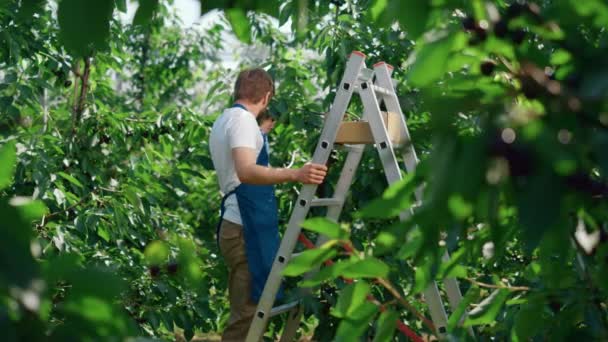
{"x":252,"y":85}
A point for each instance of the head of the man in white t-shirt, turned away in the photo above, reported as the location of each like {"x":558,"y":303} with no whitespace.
{"x":254,"y":88}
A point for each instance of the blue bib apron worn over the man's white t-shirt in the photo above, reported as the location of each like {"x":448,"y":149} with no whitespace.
{"x":259,"y":215}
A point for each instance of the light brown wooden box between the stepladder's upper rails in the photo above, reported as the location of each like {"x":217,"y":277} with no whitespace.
{"x":359,"y":132}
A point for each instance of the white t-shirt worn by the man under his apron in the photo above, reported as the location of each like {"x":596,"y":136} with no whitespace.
{"x":235,"y":127}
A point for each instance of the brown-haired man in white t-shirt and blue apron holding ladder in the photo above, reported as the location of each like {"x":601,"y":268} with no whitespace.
{"x":248,"y":229}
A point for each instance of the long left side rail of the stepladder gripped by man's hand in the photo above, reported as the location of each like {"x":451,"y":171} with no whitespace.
{"x":324,"y":147}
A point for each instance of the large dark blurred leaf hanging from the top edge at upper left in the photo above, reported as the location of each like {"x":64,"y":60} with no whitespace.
{"x":84,"y":26}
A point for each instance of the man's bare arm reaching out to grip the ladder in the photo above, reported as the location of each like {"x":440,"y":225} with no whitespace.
{"x":249,"y":172}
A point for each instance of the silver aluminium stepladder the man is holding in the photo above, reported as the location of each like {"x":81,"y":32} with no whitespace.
{"x":374,"y":86}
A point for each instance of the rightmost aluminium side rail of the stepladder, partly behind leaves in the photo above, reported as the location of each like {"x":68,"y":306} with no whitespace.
{"x":383,"y":78}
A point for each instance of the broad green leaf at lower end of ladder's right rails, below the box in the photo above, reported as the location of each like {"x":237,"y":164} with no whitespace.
{"x":396,"y":199}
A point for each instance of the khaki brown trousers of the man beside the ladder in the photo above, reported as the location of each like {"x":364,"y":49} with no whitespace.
{"x":242,"y":308}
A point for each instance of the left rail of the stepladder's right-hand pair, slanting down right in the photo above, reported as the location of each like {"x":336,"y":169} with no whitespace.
{"x":393,"y":174}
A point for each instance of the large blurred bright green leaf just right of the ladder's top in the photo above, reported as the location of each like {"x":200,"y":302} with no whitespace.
{"x":430,"y":62}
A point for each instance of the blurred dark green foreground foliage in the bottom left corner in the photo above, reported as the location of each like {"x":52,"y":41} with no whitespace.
{"x":29,"y":287}
